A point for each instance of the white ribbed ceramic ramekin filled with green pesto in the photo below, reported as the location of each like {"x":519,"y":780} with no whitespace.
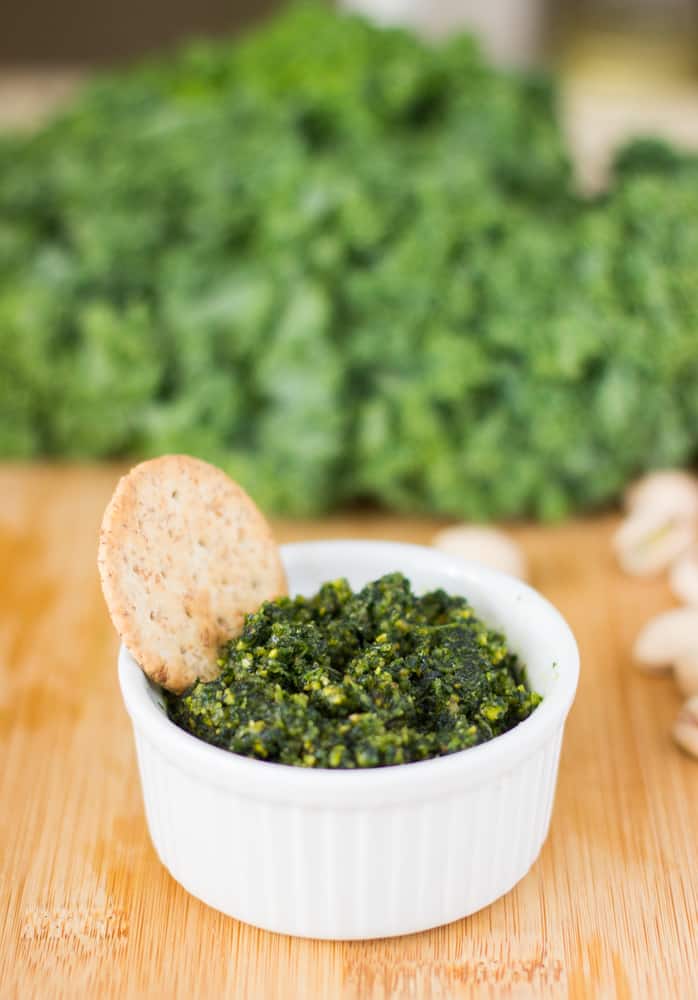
{"x":366,"y":853}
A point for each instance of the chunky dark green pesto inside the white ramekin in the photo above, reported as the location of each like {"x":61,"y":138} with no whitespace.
{"x":365,"y":679}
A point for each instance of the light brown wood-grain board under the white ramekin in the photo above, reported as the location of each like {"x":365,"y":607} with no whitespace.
{"x":609,"y":910}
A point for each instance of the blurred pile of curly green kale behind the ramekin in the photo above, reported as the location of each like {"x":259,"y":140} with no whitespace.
{"x":344,"y":264}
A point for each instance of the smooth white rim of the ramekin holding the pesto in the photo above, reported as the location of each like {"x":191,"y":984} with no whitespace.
{"x":380,"y":785}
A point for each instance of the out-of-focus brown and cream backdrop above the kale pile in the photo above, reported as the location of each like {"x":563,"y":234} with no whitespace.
{"x":627,"y":66}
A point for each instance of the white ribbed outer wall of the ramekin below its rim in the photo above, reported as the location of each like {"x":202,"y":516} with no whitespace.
{"x":349,"y":872}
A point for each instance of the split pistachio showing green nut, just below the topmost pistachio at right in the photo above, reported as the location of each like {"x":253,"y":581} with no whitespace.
{"x":649,"y":541}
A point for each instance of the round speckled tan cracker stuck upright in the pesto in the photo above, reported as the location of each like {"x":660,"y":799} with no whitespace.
{"x":184,"y":555}
